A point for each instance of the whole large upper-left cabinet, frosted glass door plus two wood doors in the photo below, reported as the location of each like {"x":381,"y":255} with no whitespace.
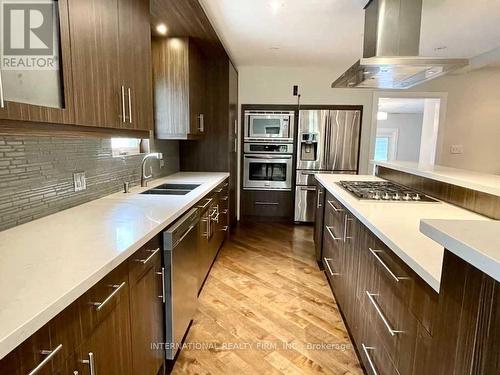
{"x":89,"y":63}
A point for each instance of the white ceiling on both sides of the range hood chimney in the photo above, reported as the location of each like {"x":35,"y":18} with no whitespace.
{"x":329,"y":33}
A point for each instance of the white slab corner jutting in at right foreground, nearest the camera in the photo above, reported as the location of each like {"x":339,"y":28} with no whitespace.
{"x":478,"y":243}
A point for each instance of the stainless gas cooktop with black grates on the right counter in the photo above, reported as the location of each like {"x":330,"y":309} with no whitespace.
{"x":384,"y":191}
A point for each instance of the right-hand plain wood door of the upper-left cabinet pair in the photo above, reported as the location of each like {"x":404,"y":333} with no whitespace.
{"x":135,"y":63}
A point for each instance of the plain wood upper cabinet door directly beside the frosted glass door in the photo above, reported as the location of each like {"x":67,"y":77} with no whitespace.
{"x":95,"y":62}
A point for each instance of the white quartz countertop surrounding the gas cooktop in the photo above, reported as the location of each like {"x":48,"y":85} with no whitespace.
{"x":397,"y":224}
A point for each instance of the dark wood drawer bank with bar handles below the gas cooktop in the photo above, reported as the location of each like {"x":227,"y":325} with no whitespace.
{"x":380,"y":297}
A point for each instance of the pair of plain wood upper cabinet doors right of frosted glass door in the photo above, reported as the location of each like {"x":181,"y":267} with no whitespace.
{"x":111,"y":63}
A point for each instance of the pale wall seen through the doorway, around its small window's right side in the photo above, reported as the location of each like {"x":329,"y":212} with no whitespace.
{"x":409,"y":126}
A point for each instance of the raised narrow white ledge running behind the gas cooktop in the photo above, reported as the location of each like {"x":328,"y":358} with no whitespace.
{"x":486,"y":183}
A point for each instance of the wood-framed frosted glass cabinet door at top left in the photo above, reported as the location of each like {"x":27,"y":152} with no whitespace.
{"x":35,"y":43}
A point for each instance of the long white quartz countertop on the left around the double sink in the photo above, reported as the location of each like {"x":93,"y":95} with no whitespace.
{"x":47,"y":264}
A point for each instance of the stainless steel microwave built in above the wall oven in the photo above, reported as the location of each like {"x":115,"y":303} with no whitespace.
{"x":269,"y":126}
